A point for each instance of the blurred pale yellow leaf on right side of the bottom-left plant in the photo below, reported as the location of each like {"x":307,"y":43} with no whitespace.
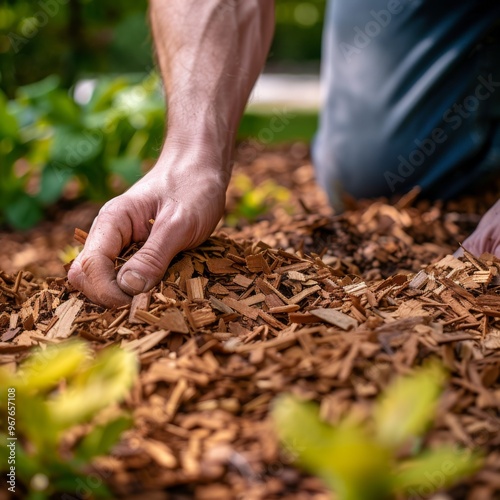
{"x":105,"y":382}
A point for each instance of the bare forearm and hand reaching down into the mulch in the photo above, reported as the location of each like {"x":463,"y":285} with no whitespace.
{"x":210,"y":54}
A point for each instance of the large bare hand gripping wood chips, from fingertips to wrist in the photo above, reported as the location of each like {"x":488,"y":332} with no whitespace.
{"x":184,"y":195}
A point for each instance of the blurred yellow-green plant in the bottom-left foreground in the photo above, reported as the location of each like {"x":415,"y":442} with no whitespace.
{"x":56,"y":393}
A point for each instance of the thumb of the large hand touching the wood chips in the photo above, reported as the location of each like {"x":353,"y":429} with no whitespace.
{"x":147,"y":267}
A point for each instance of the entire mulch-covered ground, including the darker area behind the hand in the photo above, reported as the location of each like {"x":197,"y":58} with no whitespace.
{"x":242,"y":319}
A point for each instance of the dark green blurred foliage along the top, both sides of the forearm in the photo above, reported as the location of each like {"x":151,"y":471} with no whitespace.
{"x":80,"y":38}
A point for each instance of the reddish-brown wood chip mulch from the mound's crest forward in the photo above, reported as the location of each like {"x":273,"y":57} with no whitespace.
{"x":235,"y":323}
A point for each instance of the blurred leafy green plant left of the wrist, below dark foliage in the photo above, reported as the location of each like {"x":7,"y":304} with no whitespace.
{"x":48,"y":140}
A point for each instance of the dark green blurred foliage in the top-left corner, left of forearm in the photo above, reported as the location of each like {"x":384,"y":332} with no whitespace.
{"x":71,"y":39}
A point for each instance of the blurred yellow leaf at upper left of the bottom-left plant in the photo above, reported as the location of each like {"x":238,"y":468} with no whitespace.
{"x":43,"y":370}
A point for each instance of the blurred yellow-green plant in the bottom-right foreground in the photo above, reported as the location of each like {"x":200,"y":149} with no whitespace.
{"x":361,"y":462}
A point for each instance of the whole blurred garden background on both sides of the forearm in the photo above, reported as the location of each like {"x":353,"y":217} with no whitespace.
{"x":81,"y":106}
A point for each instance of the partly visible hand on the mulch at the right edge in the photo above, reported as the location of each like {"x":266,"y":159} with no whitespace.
{"x":486,"y":237}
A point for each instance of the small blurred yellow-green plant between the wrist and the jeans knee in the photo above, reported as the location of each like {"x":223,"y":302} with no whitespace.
{"x":254,"y":201}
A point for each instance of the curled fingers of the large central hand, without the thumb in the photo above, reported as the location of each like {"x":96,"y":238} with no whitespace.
{"x":93,"y":271}
